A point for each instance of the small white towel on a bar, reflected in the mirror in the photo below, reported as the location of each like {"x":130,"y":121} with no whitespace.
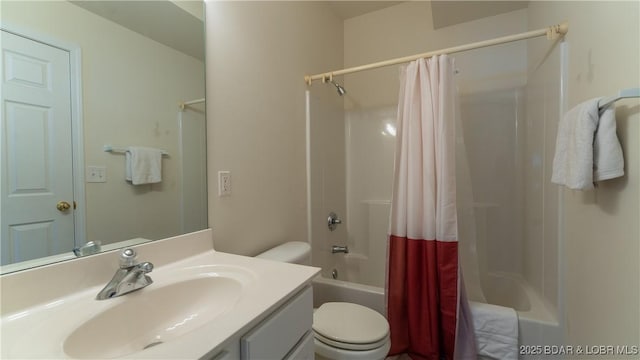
{"x":143,"y":165}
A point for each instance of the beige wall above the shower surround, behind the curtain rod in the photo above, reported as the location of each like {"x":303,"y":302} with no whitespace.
{"x":407,"y":29}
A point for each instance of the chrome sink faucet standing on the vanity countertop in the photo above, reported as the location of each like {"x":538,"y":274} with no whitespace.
{"x":129,"y":277}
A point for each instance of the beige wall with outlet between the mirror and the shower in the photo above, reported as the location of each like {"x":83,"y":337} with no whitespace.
{"x":257,"y":56}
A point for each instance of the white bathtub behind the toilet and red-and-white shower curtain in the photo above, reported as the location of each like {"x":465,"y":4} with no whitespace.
{"x":536,"y":324}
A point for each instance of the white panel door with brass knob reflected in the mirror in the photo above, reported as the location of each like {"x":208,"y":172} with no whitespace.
{"x":36,"y":145}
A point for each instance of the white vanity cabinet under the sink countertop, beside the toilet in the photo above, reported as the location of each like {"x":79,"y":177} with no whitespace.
{"x":284,"y":334}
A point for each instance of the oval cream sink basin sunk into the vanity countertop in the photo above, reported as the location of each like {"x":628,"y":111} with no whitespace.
{"x":156,"y":314}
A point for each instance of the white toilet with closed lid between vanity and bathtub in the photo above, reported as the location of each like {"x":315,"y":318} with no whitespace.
{"x":341,"y":330}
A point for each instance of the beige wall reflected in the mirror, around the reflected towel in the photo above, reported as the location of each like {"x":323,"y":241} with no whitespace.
{"x":130,"y":89}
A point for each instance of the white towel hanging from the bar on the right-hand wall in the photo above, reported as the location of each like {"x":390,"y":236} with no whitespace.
{"x":587,"y":148}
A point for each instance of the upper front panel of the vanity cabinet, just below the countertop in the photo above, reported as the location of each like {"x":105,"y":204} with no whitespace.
{"x":275,"y":337}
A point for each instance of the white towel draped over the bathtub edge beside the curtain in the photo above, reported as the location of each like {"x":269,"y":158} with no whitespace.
{"x":496,"y":329}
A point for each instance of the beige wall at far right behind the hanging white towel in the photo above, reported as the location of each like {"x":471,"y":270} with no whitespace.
{"x":601,"y":232}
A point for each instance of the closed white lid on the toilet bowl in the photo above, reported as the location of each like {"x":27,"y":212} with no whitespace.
{"x":349,"y":323}
